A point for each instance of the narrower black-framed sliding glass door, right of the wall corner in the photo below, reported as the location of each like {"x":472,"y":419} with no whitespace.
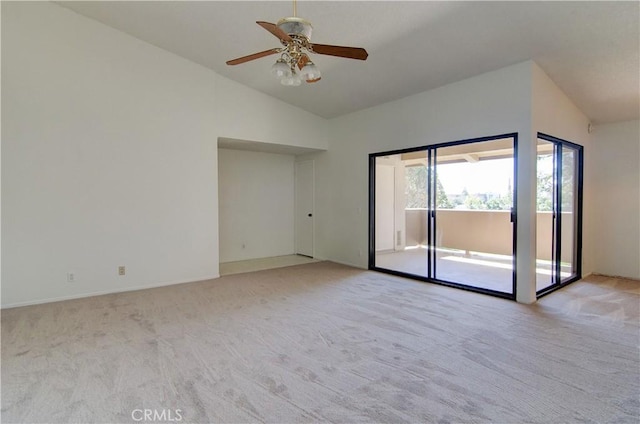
{"x":559,"y":217}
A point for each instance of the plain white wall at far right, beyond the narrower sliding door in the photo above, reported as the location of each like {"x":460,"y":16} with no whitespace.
{"x":615,"y":165}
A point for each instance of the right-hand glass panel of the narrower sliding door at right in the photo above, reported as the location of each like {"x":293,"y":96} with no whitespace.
{"x":568,"y":208}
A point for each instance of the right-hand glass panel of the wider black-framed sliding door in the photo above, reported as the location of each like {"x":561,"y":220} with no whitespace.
{"x":473,"y":203}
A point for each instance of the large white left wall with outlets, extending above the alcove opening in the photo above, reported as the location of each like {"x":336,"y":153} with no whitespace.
{"x":109,"y":157}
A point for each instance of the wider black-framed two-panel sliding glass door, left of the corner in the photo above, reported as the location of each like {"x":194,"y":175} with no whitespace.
{"x":443,"y":213}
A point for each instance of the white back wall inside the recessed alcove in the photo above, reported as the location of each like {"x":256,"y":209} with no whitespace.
{"x":256,"y":195}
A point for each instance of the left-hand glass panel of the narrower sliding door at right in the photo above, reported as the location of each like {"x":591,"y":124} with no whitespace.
{"x":545,"y":242}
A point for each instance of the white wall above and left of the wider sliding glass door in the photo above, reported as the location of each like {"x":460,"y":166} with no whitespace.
{"x":494,"y":103}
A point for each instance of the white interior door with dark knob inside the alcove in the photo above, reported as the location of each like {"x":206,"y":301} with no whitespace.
{"x":304,"y":208}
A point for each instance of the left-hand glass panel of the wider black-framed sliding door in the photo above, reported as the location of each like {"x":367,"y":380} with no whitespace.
{"x":401,"y":213}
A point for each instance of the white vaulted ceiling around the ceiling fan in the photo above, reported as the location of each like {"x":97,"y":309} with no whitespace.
{"x":590,"y":49}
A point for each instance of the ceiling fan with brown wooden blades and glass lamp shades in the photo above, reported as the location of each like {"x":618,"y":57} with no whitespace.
{"x":295,"y":35}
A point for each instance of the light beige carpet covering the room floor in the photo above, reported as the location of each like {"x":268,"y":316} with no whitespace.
{"x":325,"y":343}
